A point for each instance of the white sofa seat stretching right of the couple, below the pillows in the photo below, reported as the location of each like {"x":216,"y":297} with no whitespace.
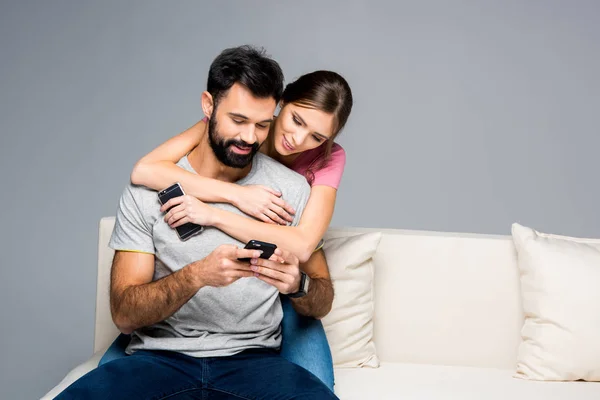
{"x":393,"y":381}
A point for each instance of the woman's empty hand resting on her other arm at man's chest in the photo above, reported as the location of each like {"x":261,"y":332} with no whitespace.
{"x":265,"y":204}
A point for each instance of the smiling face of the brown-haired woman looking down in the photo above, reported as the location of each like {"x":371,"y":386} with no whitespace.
{"x":299,"y":129}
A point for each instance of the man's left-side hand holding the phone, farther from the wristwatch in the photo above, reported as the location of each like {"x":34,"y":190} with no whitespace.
{"x":222,"y":268}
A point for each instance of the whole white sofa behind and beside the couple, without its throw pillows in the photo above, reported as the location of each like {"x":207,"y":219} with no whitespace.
{"x":447,"y":321}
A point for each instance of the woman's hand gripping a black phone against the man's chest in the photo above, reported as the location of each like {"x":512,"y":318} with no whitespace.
{"x":186,"y":209}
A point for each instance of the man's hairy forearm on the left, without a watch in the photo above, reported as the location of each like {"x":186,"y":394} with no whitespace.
{"x":143,"y":305}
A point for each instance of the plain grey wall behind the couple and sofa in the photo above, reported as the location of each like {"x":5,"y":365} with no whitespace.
{"x":469,"y":115}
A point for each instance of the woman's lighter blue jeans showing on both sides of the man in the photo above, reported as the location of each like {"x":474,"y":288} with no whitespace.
{"x":304,"y":343}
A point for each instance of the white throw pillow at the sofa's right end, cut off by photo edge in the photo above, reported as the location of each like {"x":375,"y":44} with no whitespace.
{"x":560,"y":286}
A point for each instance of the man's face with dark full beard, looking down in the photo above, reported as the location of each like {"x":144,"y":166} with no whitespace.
{"x":239,"y":124}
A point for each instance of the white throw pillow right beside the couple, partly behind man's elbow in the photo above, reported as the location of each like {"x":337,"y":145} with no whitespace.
{"x":349,"y":324}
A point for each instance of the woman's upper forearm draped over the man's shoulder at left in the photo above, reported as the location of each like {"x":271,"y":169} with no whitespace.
{"x":160,"y":175}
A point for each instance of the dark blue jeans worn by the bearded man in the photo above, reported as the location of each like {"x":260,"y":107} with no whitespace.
{"x":251,"y":374}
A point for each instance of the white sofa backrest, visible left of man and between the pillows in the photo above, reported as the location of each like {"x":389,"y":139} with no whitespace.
{"x":450,"y":299}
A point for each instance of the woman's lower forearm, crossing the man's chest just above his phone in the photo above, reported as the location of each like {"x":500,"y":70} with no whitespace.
{"x":294,"y":239}
